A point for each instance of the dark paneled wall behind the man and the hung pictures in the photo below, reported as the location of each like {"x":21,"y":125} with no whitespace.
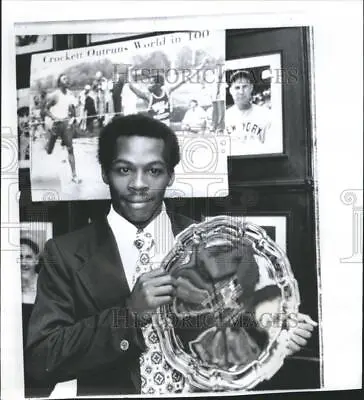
{"x":258,"y":185}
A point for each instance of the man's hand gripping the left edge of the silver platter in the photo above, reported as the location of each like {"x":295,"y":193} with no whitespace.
{"x":152,"y":290}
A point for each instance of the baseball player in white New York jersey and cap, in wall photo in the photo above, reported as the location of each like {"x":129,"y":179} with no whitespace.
{"x":245,"y":121}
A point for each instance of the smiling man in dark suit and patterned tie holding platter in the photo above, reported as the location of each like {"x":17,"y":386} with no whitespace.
{"x":89,"y":316}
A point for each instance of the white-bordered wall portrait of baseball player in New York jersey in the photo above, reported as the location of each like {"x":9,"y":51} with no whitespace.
{"x":254,"y":114}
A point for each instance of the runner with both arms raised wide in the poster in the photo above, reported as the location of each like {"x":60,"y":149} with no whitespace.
{"x":158,"y":93}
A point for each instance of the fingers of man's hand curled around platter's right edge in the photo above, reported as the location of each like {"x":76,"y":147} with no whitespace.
{"x":300,"y":333}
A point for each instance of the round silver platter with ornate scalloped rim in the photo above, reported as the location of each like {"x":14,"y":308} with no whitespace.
{"x":228,"y":325}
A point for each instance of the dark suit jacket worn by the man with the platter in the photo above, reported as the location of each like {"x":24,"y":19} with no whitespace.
{"x":80,"y":326}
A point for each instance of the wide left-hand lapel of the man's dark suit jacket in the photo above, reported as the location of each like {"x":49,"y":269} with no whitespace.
{"x":102,"y":271}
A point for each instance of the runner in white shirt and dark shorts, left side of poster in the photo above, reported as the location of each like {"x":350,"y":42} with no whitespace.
{"x":61,"y":109}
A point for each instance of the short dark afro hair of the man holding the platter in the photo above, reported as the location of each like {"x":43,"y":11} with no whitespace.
{"x":137,"y":125}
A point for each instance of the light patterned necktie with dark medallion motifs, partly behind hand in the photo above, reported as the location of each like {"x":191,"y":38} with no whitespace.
{"x":157,"y":376}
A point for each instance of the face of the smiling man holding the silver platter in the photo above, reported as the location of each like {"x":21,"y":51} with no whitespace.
{"x":138,"y":178}
